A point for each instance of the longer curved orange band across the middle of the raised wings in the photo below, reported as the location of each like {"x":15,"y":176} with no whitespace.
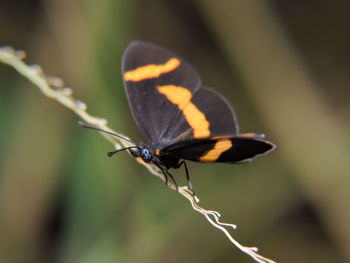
{"x":182,"y":98}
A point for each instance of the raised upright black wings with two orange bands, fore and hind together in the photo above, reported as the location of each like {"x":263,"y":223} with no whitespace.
{"x":167,"y":100}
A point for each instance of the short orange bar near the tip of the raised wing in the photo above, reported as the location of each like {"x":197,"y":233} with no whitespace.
{"x":151,"y":71}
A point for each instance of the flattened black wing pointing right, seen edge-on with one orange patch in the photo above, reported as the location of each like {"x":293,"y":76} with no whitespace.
{"x":237,"y":149}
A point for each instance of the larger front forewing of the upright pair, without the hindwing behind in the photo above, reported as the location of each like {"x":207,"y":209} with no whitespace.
{"x":149,"y":69}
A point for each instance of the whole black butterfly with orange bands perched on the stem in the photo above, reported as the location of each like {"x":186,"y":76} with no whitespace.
{"x":181,"y":119}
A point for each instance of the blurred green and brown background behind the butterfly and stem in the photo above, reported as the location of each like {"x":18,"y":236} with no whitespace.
{"x":284,"y":65}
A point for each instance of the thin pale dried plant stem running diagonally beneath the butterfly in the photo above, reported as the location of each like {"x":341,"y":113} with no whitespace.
{"x":54,"y":88}
